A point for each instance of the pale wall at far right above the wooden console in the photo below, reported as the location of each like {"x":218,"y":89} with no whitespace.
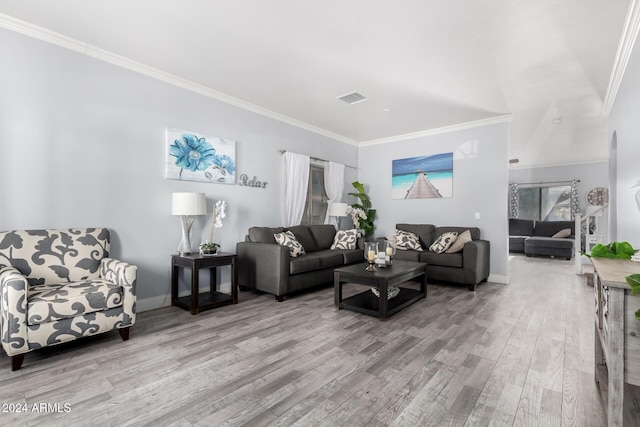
{"x":624,"y":122}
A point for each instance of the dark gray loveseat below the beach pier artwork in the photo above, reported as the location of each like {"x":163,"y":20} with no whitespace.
{"x":468,"y":267}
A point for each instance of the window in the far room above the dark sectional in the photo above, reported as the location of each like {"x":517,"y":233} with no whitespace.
{"x":551,"y":203}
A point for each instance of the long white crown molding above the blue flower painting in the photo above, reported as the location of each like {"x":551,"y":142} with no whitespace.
{"x":52,"y":37}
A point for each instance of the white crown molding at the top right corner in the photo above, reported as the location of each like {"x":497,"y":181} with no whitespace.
{"x":625,"y":48}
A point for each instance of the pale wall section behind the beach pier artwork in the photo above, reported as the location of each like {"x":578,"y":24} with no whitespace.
{"x":480,"y":184}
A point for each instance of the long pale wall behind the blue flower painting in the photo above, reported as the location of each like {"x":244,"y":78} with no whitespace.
{"x":82,"y":143}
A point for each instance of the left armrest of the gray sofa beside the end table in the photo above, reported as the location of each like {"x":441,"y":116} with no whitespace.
{"x":263,"y":266}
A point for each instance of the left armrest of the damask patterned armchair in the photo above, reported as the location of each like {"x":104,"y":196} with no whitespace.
{"x":13,"y":309}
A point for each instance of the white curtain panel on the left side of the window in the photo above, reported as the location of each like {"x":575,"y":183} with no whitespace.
{"x":296,"y":181}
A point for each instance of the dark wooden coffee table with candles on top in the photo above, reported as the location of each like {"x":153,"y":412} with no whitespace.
{"x":366,"y":302}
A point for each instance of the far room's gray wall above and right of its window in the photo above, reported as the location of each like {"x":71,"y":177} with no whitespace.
{"x":591,"y":175}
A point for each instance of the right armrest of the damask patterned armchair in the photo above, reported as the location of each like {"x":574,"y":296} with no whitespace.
{"x":122,"y":274}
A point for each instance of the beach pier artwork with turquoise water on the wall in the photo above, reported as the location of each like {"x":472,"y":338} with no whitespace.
{"x":422,"y":177}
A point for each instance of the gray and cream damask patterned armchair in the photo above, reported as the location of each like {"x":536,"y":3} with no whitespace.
{"x":60,"y":285}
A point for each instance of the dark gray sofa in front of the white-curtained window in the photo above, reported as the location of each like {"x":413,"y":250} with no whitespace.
{"x":266,"y":266}
